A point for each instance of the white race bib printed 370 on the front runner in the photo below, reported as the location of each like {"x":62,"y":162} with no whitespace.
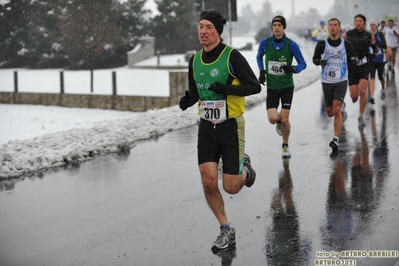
{"x":213,"y":111}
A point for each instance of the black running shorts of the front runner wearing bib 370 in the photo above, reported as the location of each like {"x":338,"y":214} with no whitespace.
{"x":226,"y":140}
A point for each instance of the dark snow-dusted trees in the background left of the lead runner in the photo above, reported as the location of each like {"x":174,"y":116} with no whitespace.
{"x":90,"y":34}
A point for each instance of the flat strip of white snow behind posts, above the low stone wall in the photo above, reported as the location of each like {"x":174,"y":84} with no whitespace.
{"x":138,"y":82}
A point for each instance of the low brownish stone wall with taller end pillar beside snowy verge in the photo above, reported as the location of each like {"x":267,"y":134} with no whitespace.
{"x":178,"y":83}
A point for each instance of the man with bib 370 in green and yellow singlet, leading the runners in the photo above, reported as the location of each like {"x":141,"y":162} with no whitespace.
{"x":219,"y":79}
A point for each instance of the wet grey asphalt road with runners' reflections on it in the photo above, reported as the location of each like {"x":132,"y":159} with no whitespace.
{"x":148,"y":208}
